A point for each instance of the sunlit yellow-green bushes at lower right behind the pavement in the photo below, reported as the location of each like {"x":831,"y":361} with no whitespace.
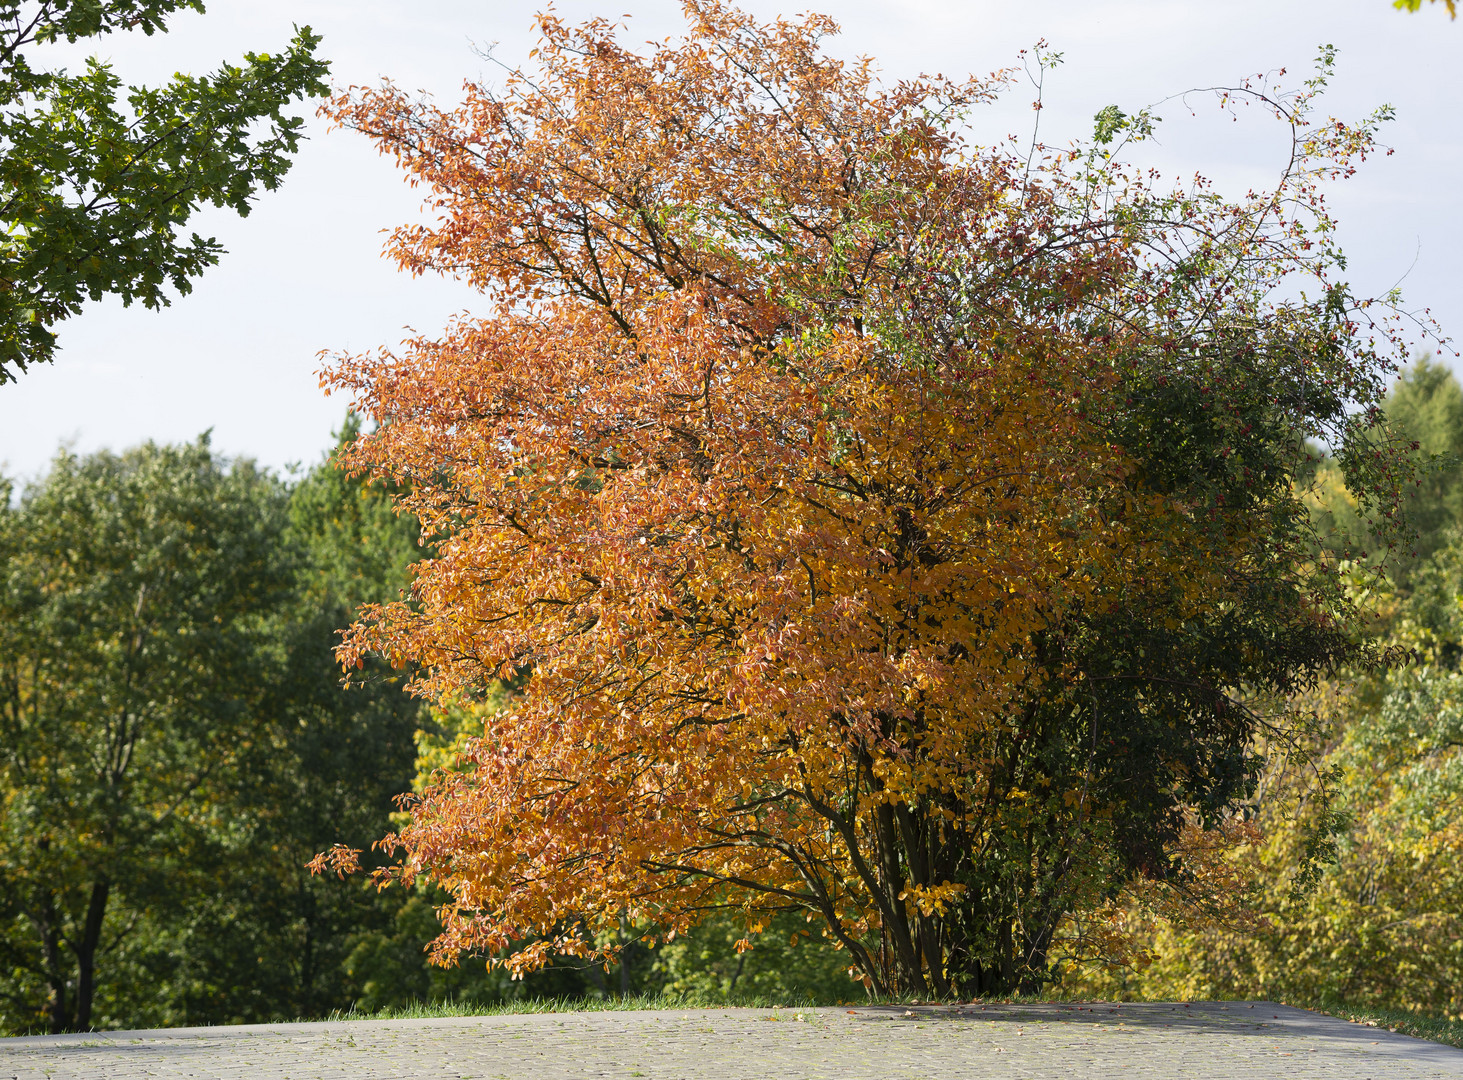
{"x":1382,"y":927}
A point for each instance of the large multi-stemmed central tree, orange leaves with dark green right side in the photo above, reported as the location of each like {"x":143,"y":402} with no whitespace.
{"x":892,"y":530}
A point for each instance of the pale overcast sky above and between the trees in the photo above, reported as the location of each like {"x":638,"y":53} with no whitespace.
{"x":305,"y":274}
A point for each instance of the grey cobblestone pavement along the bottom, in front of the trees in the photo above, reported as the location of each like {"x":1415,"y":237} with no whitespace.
{"x":1231,"y":1041}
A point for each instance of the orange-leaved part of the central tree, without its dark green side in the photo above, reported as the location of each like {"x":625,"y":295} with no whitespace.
{"x":772,"y":463}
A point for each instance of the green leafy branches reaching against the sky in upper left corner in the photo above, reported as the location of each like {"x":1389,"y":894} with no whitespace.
{"x":94,"y":188}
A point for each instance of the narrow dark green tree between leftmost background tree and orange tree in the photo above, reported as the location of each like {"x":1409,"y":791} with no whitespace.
{"x":340,"y":756}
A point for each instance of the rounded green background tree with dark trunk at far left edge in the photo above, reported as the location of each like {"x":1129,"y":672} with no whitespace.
{"x":134,"y":614}
